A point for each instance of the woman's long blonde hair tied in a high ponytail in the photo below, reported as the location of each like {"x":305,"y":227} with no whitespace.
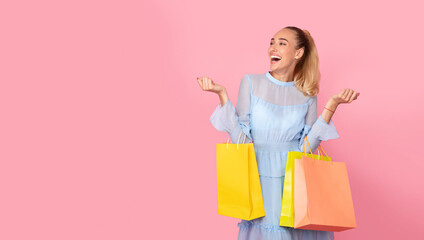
{"x":306,"y":72}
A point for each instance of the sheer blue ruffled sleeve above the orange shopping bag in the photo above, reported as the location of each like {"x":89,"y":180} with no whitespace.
{"x":317,"y":130}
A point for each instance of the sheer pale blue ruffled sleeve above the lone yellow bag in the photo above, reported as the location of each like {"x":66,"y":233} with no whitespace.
{"x":233,"y":120}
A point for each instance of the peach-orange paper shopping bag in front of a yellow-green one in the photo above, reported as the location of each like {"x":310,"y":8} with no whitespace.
{"x":322,"y":197}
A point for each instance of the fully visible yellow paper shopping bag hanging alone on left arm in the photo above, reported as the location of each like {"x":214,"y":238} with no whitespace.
{"x":239,"y":189}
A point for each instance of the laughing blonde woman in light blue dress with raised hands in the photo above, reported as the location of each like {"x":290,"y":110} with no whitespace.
{"x":276,"y":110}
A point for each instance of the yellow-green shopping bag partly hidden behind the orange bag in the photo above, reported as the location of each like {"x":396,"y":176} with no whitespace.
{"x":287,"y":203}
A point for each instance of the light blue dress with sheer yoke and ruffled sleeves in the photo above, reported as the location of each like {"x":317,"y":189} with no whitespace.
{"x":276,"y":116}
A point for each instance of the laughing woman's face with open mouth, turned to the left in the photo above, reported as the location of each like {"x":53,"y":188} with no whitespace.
{"x":282,"y":51}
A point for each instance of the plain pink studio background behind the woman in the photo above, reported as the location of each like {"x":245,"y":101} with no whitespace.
{"x":105,"y":133}
